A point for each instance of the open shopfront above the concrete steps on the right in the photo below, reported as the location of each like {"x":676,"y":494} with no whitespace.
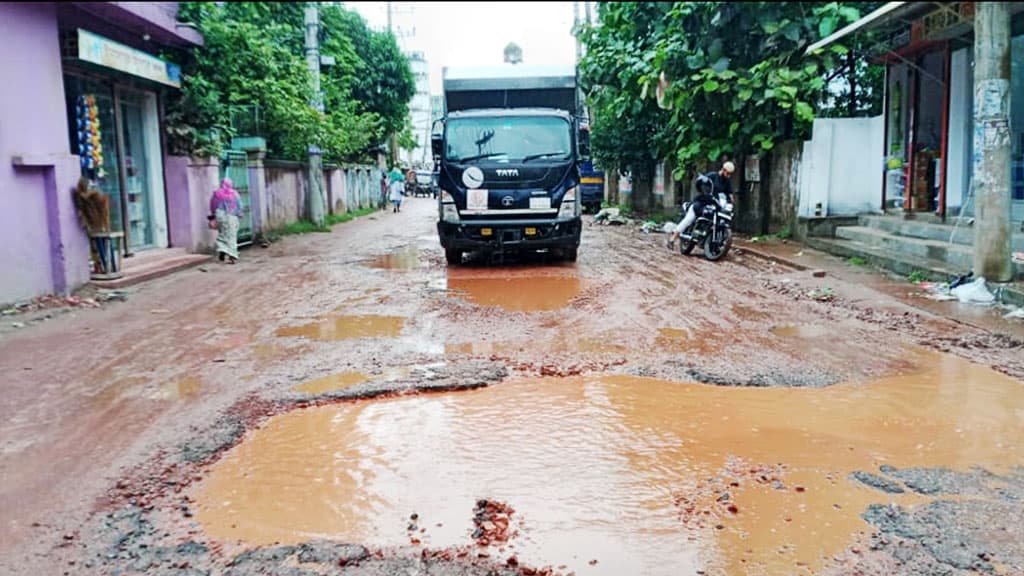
{"x":930,"y":132}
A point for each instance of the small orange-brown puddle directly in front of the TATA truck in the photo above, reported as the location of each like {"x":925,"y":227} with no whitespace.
{"x":517,"y":294}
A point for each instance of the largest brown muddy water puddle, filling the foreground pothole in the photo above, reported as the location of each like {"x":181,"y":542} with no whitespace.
{"x":596,"y":468}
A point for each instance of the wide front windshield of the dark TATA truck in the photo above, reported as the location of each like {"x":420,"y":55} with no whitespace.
{"x":508,"y":139}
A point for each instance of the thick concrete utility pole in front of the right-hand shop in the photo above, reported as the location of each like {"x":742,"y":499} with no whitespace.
{"x":993,"y":142}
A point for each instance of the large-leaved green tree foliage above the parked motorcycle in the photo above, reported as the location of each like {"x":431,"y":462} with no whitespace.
{"x":735,"y":77}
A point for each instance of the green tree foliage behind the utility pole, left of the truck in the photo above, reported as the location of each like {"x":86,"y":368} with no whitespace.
{"x":253,"y":57}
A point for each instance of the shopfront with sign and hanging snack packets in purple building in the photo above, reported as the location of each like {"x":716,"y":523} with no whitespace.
{"x":114,"y":96}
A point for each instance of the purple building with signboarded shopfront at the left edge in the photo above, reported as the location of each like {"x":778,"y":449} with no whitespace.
{"x":83,"y":96}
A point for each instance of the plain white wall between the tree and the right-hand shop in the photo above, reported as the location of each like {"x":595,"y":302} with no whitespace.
{"x":842,"y":168}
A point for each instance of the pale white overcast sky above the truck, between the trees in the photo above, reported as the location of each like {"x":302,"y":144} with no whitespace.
{"x":477,"y":33}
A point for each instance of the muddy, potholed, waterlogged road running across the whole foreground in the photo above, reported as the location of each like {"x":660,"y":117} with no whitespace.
{"x":349,"y":404}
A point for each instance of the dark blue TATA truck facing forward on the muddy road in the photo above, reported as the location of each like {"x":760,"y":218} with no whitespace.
{"x":507,"y":154}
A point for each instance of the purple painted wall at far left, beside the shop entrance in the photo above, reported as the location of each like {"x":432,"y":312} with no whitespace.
{"x":33,"y":129}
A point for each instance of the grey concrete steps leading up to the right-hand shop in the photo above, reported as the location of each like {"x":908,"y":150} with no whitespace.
{"x":908,"y":246}
